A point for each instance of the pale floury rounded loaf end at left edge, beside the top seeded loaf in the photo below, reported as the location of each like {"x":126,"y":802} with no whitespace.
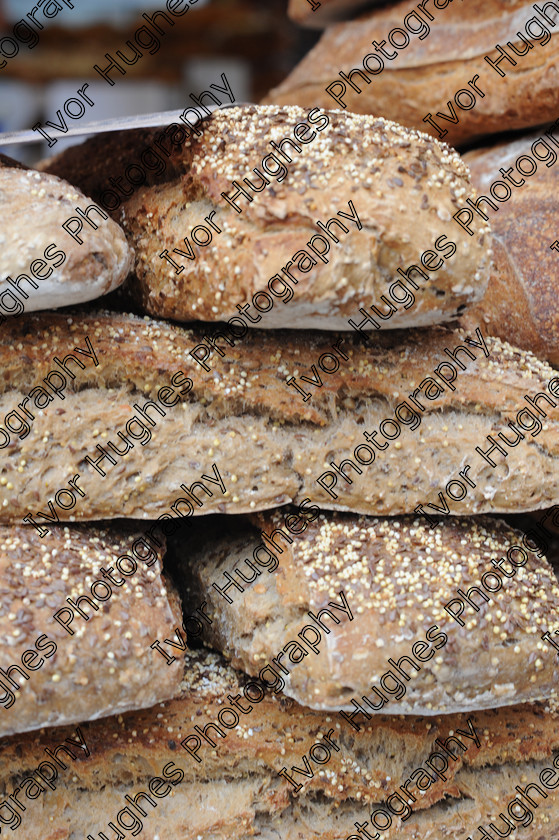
{"x":48,"y":267}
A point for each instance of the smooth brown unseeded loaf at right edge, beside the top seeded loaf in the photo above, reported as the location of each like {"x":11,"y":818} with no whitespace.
{"x":521,"y":304}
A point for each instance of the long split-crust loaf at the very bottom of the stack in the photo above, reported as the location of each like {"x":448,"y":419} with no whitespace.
{"x":235,"y":791}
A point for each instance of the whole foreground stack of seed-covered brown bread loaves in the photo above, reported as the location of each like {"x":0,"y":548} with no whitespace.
{"x":384,"y":660}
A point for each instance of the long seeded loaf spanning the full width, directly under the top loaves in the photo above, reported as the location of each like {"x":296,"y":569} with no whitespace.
{"x":269,"y":445}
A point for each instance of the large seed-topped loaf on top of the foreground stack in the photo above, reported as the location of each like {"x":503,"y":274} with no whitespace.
{"x":404,"y":188}
